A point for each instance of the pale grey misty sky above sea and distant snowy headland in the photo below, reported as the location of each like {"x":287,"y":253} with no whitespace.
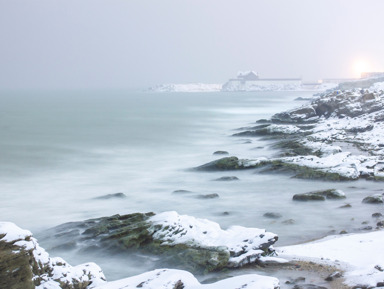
{"x":107,"y":44}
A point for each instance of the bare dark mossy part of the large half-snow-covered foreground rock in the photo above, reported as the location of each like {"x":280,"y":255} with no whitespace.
{"x":120,"y":234}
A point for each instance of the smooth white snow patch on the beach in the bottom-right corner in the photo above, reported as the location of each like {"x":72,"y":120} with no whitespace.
{"x":360,"y":256}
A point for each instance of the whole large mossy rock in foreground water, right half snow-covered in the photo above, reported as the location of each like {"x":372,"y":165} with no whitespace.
{"x":183,"y":241}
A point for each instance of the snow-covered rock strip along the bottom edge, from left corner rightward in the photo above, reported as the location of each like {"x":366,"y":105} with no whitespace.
{"x":24,"y":264}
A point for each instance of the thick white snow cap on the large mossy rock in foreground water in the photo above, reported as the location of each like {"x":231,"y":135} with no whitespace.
{"x":244,"y":245}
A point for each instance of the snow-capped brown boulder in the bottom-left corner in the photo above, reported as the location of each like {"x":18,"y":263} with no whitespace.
{"x":24,"y":264}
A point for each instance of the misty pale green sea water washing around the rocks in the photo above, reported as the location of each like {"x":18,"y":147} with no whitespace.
{"x":60,"y":151}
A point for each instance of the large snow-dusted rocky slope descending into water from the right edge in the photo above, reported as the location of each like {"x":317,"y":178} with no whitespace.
{"x":338,"y":136}
